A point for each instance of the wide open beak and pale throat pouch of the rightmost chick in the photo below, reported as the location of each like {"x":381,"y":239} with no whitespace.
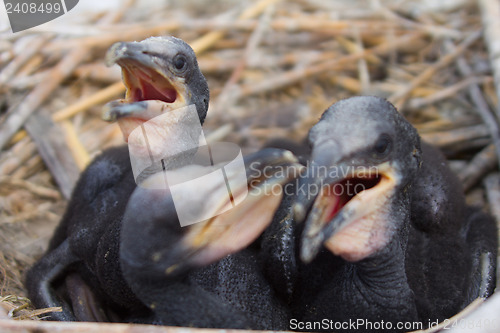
{"x":345,"y":209}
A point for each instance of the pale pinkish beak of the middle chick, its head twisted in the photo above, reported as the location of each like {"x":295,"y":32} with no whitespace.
{"x":257,"y":199}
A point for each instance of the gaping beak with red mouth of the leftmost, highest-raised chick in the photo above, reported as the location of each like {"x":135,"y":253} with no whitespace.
{"x":151,"y":90}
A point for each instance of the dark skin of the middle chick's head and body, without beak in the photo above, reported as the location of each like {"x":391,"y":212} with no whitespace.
{"x":230,"y":293}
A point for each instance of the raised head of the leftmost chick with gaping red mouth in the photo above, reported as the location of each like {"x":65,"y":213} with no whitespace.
{"x":161,"y":74}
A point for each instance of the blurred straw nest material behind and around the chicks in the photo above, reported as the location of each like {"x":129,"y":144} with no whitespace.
{"x":273,"y":67}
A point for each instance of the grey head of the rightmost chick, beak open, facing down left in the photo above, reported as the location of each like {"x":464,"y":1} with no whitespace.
{"x":364,"y":156}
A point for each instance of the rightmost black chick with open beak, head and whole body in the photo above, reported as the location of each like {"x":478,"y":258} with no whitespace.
{"x":401,"y":245}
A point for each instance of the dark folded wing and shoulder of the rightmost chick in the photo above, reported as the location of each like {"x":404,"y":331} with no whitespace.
{"x":446,"y":241}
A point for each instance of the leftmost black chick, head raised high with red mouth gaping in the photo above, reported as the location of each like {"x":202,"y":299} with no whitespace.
{"x":81,"y":266}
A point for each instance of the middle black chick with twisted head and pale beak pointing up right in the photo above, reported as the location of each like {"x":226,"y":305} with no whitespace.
{"x":208,"y":274}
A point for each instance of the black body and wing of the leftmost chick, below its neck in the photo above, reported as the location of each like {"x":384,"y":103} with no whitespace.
{"x":86,"y":242}
